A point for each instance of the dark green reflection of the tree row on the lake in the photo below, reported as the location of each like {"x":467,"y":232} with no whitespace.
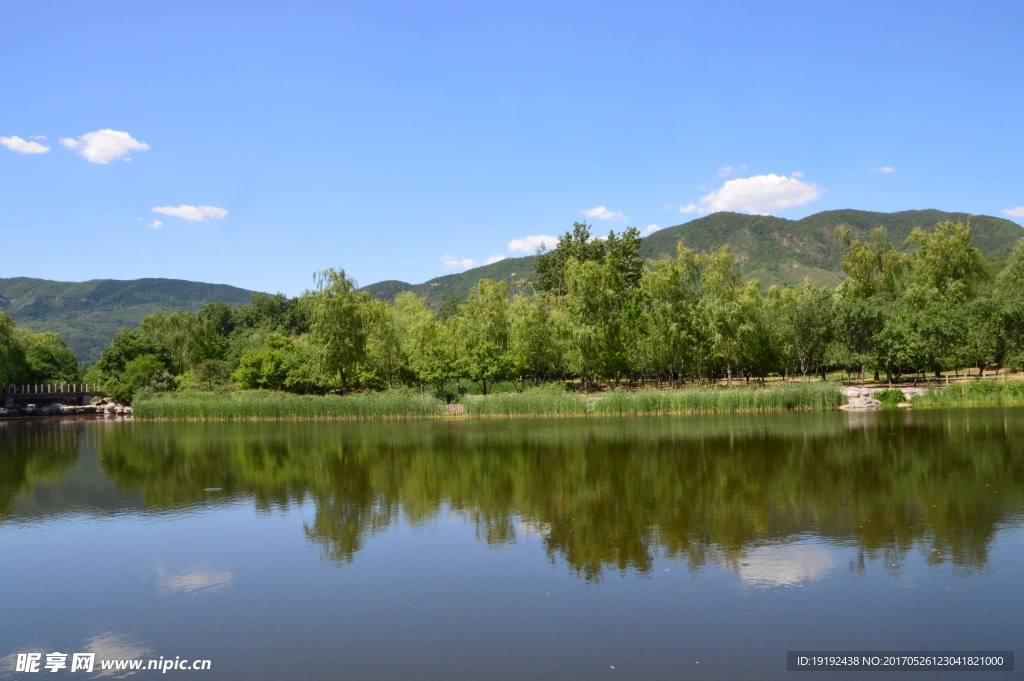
{"x":606,"y":494}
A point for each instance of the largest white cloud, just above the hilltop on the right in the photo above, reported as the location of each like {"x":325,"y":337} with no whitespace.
{"x":760,"y":195}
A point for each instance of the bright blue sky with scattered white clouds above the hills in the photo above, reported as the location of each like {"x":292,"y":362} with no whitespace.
{"x":408,"y":141}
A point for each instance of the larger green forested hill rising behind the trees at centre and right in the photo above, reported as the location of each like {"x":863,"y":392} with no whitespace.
{"x":773,"y":250}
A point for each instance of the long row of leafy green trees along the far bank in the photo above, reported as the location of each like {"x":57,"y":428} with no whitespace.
{"x":596,"y":314}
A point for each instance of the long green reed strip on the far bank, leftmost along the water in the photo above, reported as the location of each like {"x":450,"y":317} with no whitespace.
{"x":267,"y":405}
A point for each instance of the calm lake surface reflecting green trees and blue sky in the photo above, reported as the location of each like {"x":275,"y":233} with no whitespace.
{"x":659,"y":548}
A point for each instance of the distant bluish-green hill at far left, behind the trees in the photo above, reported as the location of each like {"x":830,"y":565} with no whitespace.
{"x":89,"y":314}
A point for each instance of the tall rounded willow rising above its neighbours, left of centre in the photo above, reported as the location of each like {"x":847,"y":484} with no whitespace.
{"x":338,"y":326}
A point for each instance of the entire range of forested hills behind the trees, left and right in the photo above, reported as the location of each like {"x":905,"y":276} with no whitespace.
{"x":773,"y":250}
